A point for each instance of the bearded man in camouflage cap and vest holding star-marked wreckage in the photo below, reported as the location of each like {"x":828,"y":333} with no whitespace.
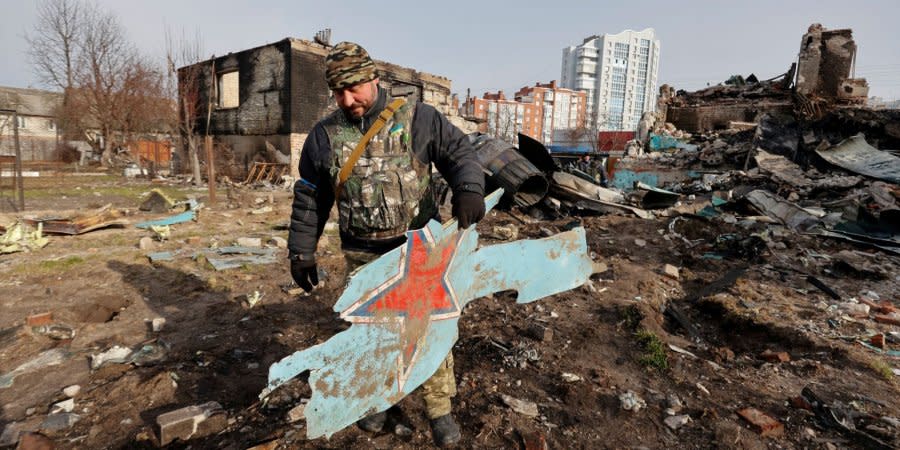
{"x":387,"y":192}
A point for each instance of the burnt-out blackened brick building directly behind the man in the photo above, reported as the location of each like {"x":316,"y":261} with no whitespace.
{"x":274,"y":94}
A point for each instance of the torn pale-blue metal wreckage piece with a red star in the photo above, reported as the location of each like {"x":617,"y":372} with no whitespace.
{"x":404,"y":308}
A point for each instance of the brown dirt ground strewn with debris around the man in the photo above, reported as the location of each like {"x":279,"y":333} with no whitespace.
{"x":736,"y":302}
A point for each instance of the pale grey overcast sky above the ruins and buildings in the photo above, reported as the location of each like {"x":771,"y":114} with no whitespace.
{"x":491,"y":45}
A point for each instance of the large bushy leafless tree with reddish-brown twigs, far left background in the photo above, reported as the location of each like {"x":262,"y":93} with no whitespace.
{"x":111,"y":92}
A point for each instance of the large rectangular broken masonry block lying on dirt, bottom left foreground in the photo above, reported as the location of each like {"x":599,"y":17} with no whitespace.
{"x":191,"y":422}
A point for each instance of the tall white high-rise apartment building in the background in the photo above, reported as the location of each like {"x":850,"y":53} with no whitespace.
{"x":618,"y":72}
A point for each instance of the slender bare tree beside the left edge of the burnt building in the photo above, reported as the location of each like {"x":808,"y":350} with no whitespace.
{"x":183,"y":87}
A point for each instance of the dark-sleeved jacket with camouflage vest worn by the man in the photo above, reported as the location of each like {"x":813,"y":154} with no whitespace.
{"x":388,"y":190}
